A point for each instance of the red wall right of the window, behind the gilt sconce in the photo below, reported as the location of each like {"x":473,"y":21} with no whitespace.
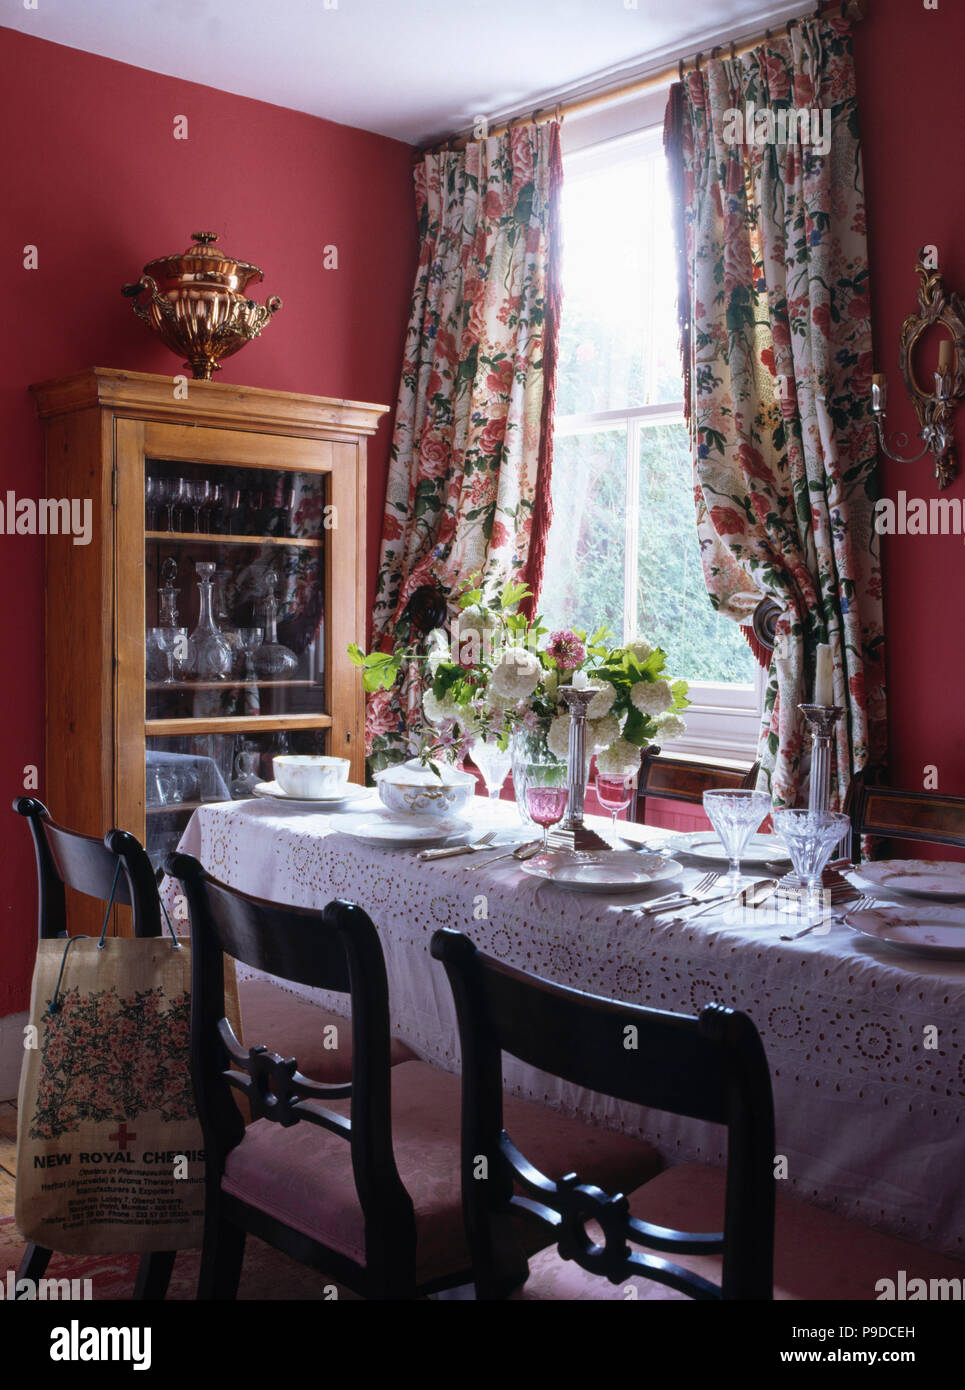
{"x":913,"y":123}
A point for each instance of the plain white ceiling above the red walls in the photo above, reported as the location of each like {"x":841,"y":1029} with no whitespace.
{"x":409,"y":69}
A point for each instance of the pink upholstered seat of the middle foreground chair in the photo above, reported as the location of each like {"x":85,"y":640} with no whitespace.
{"x":304,"y":1175}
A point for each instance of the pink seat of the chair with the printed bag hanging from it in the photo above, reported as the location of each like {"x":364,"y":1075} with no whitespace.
{"x":297,"y":1028}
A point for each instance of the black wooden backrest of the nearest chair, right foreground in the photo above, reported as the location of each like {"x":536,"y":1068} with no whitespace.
{"x":710,"y":1068}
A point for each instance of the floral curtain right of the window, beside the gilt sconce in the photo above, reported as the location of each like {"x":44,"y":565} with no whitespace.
{"x":778,"y":355}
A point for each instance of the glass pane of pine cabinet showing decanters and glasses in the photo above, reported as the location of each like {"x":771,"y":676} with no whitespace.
{"x":234,"y":633}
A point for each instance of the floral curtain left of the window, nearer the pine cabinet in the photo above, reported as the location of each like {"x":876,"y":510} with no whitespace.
{"x":469,"y":472}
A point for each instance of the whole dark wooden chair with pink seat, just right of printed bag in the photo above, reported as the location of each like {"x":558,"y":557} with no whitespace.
{"x":358,"y":1181}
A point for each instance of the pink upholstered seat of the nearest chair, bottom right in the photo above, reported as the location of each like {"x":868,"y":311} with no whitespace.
{"x":817,"y":1254}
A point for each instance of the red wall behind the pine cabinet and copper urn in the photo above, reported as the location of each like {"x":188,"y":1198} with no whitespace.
{"x":94,"y":177}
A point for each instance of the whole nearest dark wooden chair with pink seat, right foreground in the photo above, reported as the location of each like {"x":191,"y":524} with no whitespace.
{"x":733,"y":1235}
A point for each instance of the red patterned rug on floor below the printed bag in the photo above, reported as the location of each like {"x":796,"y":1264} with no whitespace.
{"x":266,"y":1274}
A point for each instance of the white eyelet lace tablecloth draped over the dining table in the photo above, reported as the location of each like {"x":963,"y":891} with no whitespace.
{"x":868,"y":1097}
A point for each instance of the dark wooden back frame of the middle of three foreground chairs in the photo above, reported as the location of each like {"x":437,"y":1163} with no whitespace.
{"x":336,"y":950}
